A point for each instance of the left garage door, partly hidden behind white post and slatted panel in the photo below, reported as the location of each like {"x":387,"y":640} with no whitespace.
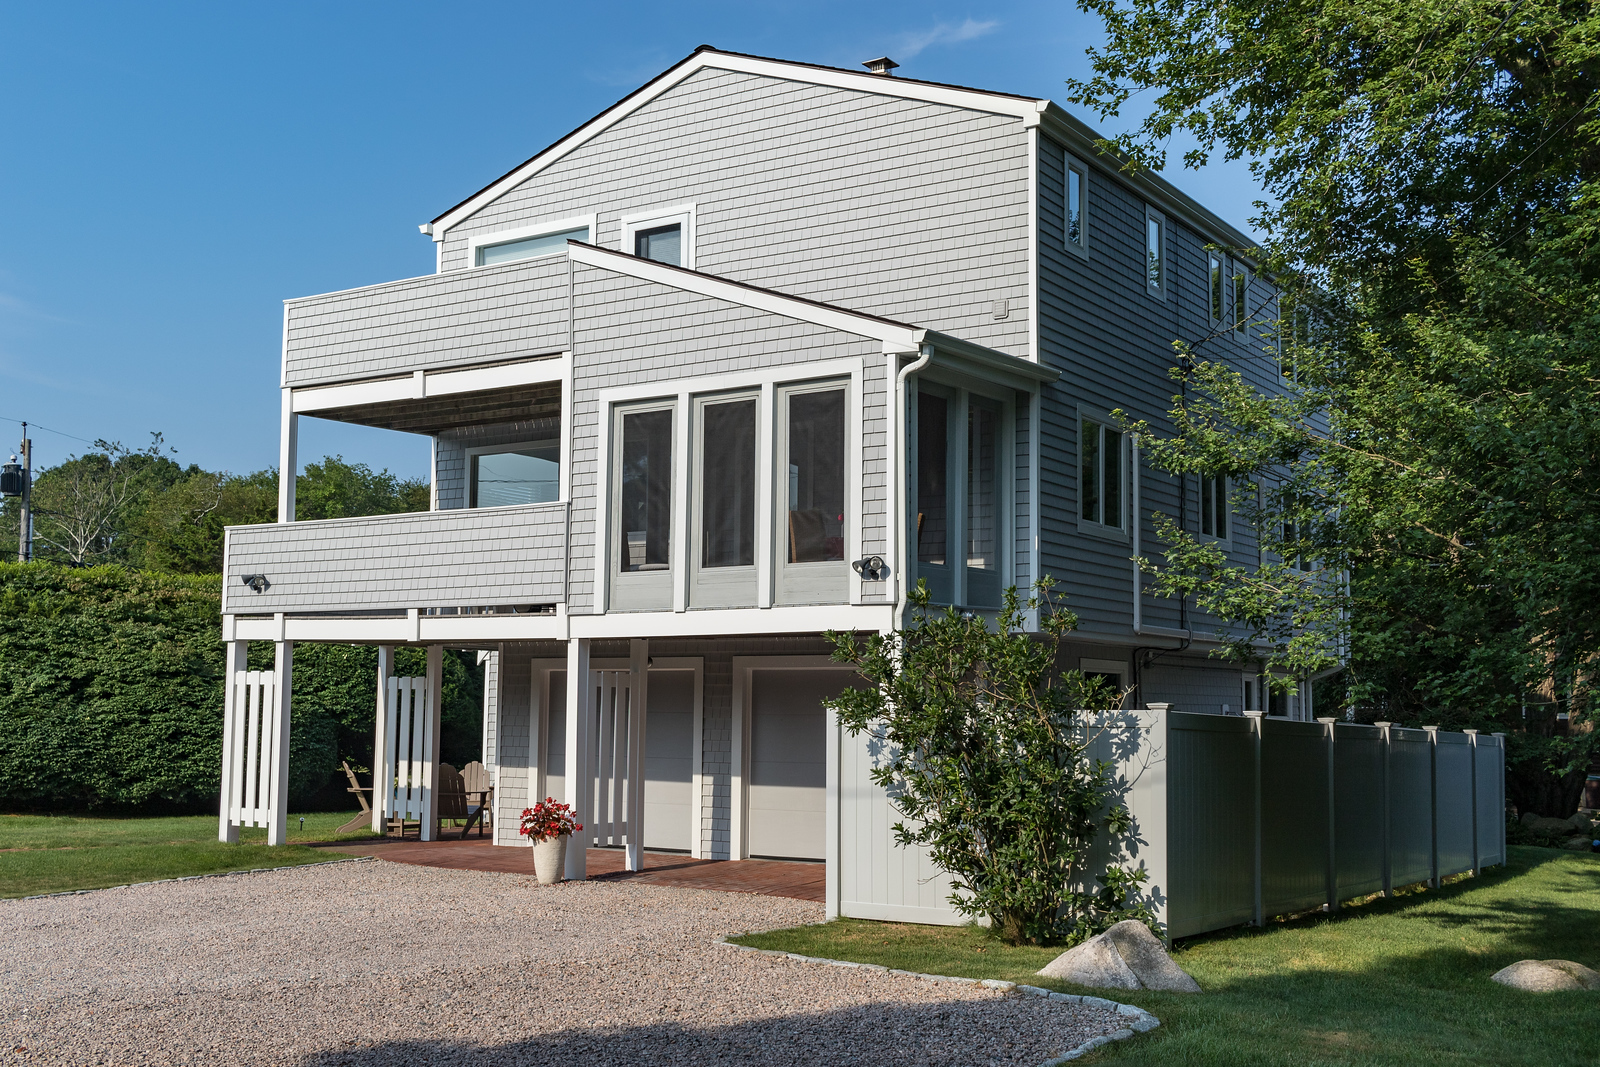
{"x":670,"y":753}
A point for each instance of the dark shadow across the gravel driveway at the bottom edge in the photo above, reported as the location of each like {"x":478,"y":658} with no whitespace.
{"x":951,"y":1033}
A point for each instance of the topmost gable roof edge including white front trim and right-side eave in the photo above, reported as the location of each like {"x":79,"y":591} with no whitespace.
{"x":1074,"y":134}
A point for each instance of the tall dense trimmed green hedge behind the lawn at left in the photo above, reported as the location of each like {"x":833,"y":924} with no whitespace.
{"x":111,"y":695}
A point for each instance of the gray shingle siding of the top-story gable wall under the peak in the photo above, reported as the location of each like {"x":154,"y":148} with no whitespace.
{"x":902,"y":209}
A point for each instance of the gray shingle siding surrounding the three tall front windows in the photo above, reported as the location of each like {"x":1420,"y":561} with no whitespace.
{"x":630,"y":332}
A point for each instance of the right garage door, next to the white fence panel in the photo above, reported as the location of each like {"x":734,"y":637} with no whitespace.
{"x":788,"y":793}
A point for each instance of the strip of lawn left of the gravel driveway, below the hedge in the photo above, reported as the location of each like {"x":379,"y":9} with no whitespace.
{"x":60,"y":853}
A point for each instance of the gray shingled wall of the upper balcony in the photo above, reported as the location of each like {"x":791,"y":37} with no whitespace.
{"x":425,"y":324}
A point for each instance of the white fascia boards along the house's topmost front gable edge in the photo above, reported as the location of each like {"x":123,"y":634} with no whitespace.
{"x":974,"y":100}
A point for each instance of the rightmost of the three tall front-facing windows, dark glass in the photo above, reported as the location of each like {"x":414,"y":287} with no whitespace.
{"x":817,"y":478}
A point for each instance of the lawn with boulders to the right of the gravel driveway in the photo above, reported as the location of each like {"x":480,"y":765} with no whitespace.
{"x":1388,"y":983}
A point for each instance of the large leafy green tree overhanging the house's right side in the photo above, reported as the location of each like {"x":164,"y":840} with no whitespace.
{"x":1434,"y":452}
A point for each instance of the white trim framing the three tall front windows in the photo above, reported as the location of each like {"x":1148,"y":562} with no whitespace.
{"x":679,"y":394}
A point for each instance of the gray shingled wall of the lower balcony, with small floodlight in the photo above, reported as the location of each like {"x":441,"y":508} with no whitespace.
{"x":502,"y":556}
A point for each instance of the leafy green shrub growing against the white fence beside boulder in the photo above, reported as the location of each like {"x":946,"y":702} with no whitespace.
{"x":982,"y":751}
